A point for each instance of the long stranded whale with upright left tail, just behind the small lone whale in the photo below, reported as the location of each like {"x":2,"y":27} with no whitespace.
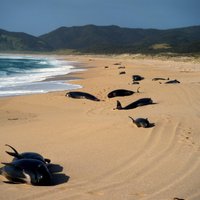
{"x":135,"y":104}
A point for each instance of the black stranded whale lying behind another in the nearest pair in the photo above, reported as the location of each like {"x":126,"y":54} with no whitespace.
{"x":27,"y":155}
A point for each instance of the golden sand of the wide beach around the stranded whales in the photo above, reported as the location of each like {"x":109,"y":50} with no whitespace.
{"x":103,"y":155}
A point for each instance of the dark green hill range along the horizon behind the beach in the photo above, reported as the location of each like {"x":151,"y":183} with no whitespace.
{"x":106,"y":39}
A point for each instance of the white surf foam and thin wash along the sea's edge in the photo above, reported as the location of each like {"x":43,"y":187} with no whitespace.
{"x":49,"y":84}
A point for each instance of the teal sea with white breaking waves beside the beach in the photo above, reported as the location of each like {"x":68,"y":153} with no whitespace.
{"x":22,"y":75}
